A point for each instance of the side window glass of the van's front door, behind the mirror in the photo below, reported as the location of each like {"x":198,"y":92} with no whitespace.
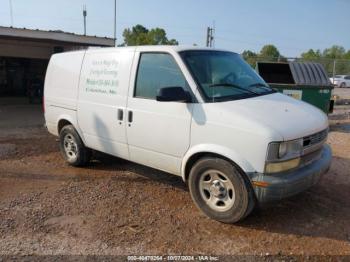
{"x":157,"y":70}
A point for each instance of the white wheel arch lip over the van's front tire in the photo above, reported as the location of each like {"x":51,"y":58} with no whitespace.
{"x":219,"y":150}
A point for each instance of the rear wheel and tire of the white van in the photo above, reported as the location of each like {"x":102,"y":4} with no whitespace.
{"x":72,"y":147}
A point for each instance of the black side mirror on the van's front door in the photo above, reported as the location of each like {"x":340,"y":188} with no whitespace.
{"x":173,"y":94}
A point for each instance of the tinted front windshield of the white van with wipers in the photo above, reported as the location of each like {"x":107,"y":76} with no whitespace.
{"x":224,"y":76}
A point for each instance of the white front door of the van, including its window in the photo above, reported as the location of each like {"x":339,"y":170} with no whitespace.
{"x":158,"y":133}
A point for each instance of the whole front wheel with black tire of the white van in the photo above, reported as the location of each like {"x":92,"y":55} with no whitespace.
{"x":207,"y":179}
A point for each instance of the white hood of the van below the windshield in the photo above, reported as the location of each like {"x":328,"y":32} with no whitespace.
{"x":290,"y":118}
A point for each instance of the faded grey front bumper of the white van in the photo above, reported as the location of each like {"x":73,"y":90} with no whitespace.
{"x":289,"y":183}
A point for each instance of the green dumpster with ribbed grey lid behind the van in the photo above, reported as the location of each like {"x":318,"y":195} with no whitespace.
{"x":304,"y":81}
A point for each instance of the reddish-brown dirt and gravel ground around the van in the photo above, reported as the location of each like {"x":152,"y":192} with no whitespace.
{"x":115,"y":207}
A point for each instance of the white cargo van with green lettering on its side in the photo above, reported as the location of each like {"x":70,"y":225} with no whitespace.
{"x":201,"y":114}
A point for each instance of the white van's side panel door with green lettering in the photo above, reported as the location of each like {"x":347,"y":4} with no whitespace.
{"x":103,"y":90}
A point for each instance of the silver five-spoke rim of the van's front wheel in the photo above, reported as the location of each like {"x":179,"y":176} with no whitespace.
{"x":217,"y":190}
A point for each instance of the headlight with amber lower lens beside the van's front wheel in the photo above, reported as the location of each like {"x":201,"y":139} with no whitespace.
{"x":282,"y":156}
